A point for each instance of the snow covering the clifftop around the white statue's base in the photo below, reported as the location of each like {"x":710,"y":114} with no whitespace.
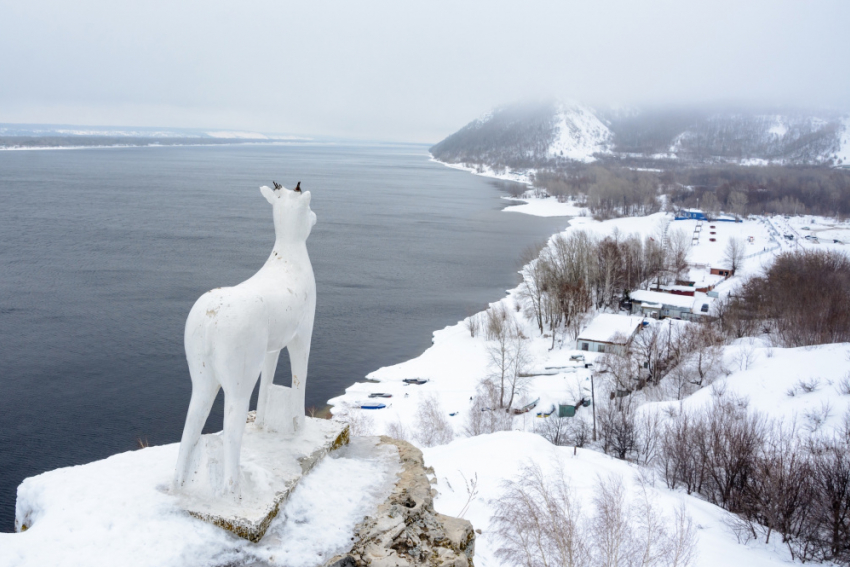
{"x":117,"y":512}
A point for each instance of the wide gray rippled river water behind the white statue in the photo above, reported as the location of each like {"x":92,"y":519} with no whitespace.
{"x":104,"y":251}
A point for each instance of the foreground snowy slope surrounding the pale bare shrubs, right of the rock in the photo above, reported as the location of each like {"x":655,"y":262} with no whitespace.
{"x":496,"y":458}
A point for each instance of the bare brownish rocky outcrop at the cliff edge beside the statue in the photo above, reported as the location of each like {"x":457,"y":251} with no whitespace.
{"x":406,"y":530}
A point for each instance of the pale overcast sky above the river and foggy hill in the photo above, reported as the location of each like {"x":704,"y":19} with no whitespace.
{"x":404,"y":70}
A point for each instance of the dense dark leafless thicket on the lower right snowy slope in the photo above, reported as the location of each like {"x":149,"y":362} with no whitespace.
{"x":770,"y":476}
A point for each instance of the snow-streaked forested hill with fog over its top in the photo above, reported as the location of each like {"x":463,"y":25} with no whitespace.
{"x":553,"y":133}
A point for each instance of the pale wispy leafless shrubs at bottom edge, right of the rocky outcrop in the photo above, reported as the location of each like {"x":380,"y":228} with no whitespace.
{"x":540,"y":523}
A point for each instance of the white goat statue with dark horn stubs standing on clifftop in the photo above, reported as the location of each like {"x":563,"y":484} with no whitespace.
{"x":234,"y":334}
